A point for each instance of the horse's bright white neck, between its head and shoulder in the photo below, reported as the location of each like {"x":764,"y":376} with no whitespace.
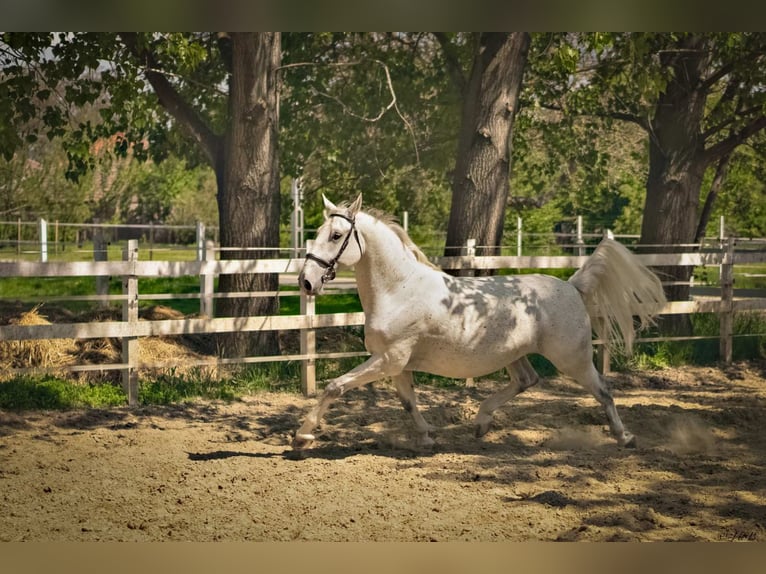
{"x":386,"y":264}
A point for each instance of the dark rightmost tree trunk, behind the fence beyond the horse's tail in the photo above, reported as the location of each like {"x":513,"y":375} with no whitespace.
{"x":677,"y":164}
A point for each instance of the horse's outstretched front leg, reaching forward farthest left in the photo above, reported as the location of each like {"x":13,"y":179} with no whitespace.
{"x":374,"y":368}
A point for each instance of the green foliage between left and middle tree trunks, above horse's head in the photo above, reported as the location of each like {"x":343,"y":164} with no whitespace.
{"x":342,"y":135}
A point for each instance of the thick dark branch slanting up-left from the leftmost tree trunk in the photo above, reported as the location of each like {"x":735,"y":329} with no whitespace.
{"x":172,"y":101}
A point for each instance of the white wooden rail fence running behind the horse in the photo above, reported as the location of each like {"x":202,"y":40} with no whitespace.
{"x":130,"y":330}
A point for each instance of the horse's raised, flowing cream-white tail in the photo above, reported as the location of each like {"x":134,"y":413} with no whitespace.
{"x":615,"y":286}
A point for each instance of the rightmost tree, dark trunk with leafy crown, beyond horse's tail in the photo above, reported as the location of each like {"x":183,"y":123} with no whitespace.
{"x":697,"y":96}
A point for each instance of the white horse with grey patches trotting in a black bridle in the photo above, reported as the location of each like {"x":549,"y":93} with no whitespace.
{"x":418,"y":318}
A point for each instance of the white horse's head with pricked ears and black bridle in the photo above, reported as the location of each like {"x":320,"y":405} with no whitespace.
{"x":337,"y":243}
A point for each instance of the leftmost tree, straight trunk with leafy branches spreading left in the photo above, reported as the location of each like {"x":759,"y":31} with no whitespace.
{"x":220,"y":91}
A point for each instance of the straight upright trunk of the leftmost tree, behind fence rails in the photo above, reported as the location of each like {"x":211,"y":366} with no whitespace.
{"x":248,"y":186}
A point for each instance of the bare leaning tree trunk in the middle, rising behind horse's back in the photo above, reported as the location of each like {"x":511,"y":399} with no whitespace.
{"x":480,"y":181}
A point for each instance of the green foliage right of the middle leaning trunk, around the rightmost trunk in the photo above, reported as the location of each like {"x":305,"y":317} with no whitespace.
{"x":590,"y":100}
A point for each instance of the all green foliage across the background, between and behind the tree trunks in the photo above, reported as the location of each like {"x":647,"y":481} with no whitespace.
{"x":78,"y":105}
